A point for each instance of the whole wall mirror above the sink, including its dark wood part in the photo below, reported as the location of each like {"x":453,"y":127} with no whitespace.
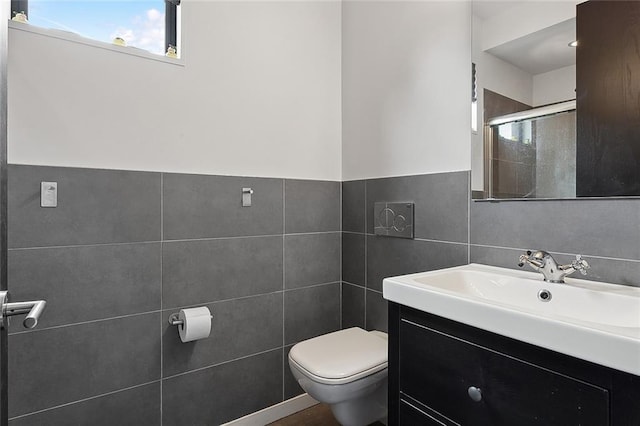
{"x":540,"y":145}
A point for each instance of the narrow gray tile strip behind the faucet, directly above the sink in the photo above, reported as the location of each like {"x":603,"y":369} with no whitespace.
{"x":613,"y":271}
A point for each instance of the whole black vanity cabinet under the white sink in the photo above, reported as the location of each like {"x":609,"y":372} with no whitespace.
{"x":446,"y":373}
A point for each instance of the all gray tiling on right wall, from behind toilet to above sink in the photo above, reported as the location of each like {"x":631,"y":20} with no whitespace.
{"x":452,"y":230}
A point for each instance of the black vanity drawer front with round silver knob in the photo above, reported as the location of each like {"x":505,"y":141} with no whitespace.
{"x":439,"y":370}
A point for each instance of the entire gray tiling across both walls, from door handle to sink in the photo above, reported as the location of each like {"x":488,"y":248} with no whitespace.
{"x":123,"y":250}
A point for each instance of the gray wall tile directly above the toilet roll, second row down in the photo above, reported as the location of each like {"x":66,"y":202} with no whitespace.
{"x":205,"y":271}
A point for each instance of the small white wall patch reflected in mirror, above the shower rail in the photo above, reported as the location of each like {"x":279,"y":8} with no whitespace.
{"x":554,"y":86}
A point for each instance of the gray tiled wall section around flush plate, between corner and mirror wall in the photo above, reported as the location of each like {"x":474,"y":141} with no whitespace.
{"x":441,"y":238}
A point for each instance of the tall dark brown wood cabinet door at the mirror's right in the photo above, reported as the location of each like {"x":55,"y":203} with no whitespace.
{"x":607,"y":92}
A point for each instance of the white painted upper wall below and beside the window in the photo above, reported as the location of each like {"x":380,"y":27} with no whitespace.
{"x":259,"y":95}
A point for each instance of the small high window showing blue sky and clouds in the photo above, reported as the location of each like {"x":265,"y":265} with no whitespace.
{"x":146,"y":24}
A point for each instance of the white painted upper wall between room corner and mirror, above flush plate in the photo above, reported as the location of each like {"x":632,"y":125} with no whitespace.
{"x":406,"y":88}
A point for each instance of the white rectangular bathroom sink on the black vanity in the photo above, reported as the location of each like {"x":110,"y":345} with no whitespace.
{"x":594,"y":321}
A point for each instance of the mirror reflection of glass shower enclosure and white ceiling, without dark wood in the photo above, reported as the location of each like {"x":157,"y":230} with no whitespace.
{"x":523,"y":59}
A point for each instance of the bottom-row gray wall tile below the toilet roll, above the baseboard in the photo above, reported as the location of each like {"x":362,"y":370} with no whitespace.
{"x":222,"y":393}
